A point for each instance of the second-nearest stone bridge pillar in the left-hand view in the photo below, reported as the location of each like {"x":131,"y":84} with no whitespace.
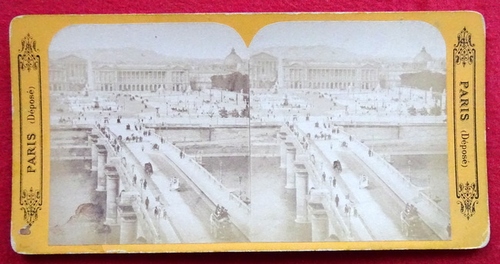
{"x":112,"y":187}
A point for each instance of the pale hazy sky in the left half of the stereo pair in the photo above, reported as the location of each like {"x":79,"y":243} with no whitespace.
{"x":194,"y":40}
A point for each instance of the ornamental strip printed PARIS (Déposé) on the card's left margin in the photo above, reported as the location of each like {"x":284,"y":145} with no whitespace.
{"x":30,"y":90}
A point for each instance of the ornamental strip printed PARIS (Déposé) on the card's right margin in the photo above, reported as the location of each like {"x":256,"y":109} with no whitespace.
{"x":464,"y":112}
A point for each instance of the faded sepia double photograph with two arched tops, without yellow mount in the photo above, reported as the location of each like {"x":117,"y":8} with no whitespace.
{"x":173,"y":133}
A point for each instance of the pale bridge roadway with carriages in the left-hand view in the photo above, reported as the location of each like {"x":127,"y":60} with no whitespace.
{"x":189,"y":208}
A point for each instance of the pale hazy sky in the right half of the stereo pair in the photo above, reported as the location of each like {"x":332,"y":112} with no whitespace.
{"x":380,"y":39}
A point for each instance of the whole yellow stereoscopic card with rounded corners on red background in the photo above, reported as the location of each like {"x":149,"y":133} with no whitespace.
{"x":248,"y":132}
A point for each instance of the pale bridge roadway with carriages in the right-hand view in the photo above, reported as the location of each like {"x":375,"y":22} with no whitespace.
{"x":377,"y":206}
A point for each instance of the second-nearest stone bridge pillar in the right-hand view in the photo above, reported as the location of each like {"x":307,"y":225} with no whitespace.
{"x":301,"y":191}
